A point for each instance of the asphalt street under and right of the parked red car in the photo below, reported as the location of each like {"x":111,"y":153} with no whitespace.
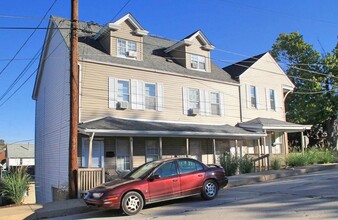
{"x":309,"y":196}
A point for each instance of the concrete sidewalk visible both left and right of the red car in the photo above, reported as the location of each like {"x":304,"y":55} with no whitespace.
{"x":74,"y":206}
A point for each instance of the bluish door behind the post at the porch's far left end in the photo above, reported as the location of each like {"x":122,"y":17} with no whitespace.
{"x":97,"y":153}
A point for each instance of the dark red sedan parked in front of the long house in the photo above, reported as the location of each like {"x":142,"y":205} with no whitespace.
{"x":158,"y":181}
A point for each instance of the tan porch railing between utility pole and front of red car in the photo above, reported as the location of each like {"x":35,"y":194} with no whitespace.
{"x":88,"y":178}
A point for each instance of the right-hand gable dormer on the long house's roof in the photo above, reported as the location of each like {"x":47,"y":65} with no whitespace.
{"x":193,"y":52}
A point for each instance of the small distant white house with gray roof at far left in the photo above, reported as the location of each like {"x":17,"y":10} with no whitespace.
{"x":20,"y":155}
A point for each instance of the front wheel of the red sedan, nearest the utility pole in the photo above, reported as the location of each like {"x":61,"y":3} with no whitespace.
{"x":132,"y":203}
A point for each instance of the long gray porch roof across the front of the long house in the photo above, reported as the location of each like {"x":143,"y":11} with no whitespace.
{"x":111,"y":126}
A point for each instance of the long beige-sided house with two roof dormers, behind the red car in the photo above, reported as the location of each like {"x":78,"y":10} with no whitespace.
{"x":141,"y":98}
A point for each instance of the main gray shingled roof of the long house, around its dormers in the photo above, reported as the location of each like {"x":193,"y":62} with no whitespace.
{"x":153,"y":56}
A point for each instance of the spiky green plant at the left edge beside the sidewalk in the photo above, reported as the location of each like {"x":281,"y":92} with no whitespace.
{"x":15,"y":184}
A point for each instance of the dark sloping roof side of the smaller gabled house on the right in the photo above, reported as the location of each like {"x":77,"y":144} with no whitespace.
{"x":237,"y":69}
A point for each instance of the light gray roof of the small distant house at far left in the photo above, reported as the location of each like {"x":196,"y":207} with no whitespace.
{"x":20,"y":150}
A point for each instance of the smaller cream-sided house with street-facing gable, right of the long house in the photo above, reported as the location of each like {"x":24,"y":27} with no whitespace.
{"x":263,"y":89}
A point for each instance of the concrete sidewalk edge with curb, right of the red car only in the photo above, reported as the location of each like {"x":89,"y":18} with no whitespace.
{"x":246,"y":179}
